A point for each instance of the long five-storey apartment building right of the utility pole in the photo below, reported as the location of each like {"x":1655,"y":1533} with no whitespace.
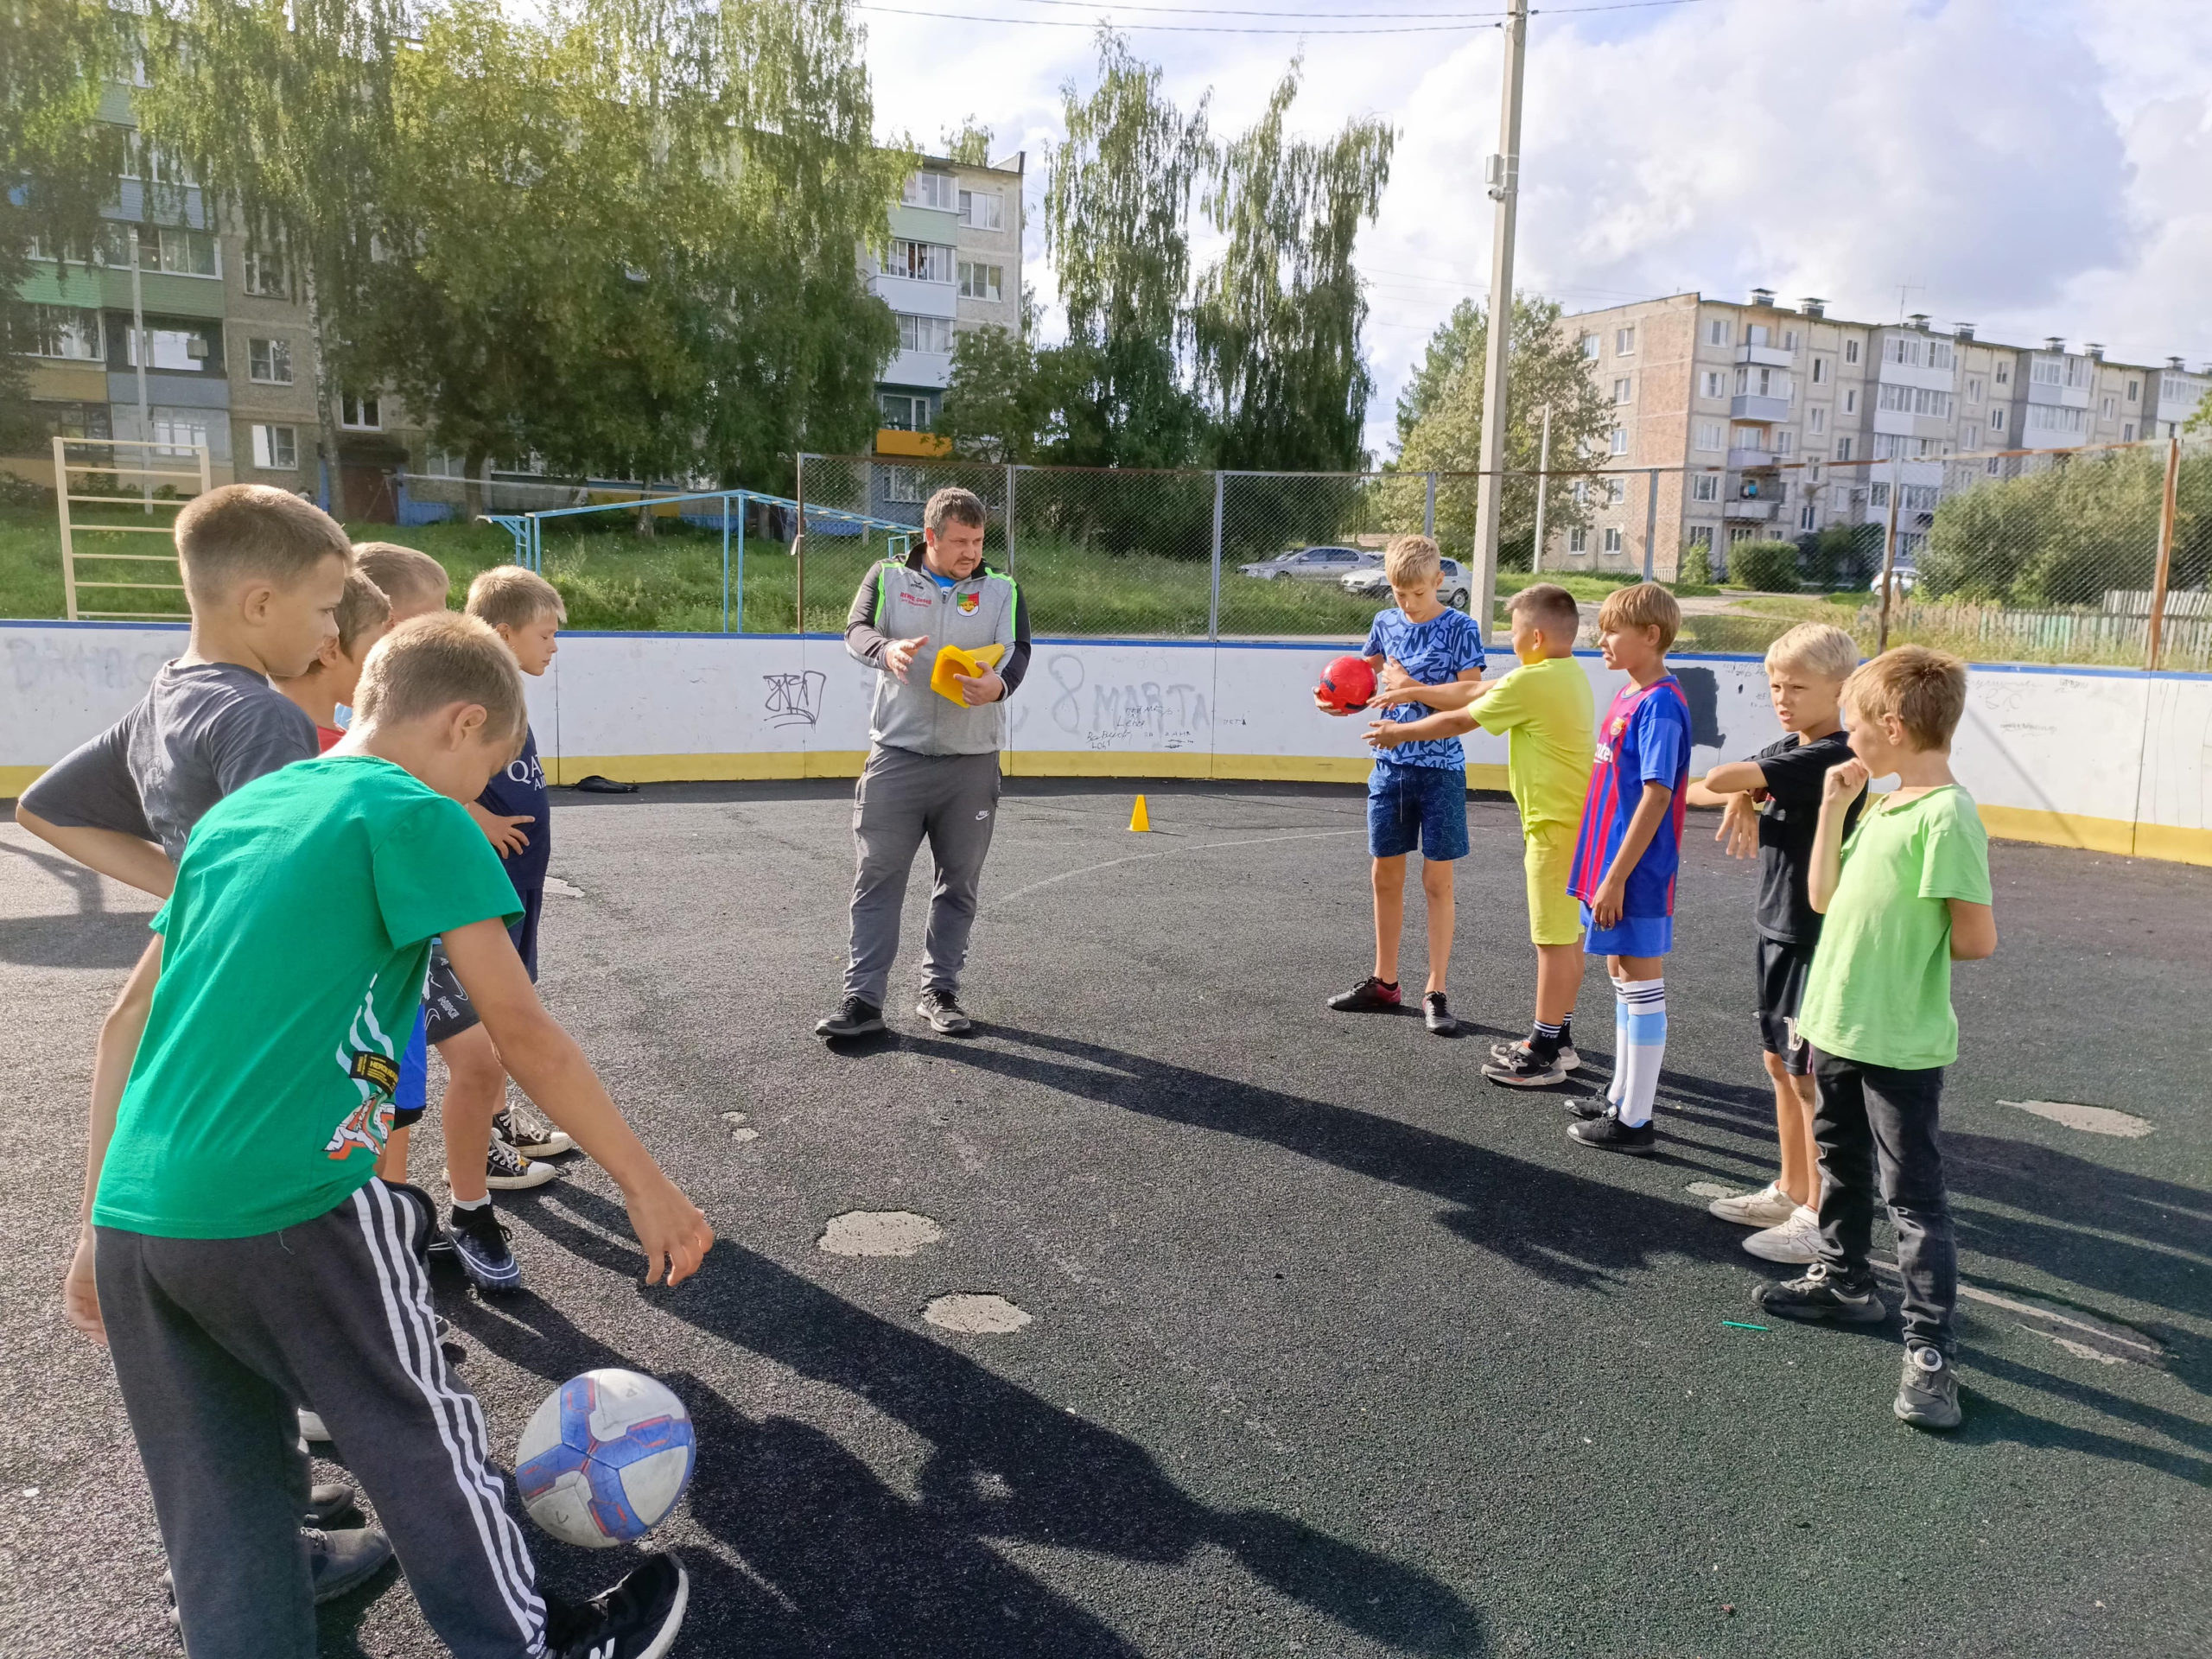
{"x":1753,"y":421}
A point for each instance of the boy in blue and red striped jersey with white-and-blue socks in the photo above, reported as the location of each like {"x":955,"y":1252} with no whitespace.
{"x":1629,"y":853}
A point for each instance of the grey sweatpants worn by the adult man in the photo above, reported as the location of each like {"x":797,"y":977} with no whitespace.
{"x":904,"y":797}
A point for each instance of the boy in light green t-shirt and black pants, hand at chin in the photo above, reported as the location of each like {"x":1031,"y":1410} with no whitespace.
{"x":1903,"y":899}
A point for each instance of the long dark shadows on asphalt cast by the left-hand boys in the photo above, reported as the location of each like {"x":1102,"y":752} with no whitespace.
{"x":851,"y":1565}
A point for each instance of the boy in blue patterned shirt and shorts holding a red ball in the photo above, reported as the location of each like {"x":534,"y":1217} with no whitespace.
{"x":1417,"y":795}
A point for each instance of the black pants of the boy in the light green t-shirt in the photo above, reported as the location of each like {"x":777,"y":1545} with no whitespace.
{"x":1877,"y":1136}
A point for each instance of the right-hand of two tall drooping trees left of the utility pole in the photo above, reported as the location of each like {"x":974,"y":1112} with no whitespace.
{"x":1277,"y":320}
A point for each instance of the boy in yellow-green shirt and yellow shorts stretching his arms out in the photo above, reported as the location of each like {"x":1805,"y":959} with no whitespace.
{"x":1550,"y":718}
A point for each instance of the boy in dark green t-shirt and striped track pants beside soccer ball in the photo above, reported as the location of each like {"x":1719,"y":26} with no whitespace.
{"x":240,"y":1255}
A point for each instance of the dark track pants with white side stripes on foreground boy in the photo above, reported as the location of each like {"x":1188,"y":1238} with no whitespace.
{"x":213,"y":1339}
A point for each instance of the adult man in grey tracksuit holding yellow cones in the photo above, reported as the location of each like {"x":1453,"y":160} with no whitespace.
{"x":932,"y":766}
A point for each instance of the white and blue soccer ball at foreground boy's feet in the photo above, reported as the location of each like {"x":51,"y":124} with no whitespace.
{"x":605,"y":1459}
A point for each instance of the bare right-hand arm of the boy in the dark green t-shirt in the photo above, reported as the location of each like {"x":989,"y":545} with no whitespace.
{"x":563,"y":1085}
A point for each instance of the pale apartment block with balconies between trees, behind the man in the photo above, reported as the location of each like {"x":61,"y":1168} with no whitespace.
{"x":954,"y":264}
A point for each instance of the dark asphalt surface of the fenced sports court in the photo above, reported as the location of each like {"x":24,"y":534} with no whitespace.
{"x":1335,"y":1348}
